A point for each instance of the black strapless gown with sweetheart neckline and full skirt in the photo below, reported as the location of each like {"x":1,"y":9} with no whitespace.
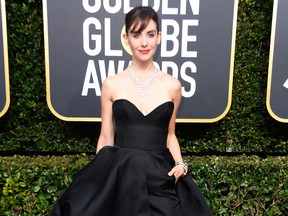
{"x":131,"y":178}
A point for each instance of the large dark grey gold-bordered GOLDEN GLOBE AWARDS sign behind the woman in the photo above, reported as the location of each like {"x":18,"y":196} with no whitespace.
{"x":197,"y":47}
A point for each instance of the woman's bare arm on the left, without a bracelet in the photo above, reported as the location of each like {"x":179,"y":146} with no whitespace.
{"x":107,"y":123}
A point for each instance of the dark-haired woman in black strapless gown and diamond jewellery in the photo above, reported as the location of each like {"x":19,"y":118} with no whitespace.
{"x":140,"y":171}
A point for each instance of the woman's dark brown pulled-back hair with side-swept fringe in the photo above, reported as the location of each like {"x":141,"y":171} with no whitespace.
{"x":140,"y":15}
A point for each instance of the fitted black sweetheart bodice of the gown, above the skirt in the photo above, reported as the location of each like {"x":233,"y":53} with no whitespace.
{"x":136,"y":130}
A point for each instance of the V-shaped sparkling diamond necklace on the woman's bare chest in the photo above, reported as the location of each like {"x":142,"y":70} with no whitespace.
{"x":143,"y":88}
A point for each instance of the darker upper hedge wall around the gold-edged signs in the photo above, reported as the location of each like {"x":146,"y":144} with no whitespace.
{"x":28,"y":125}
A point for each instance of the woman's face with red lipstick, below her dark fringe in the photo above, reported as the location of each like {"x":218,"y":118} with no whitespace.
{"x":143,"y":45}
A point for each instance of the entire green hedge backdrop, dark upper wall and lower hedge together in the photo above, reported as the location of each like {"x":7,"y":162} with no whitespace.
{"x":236,"y":185}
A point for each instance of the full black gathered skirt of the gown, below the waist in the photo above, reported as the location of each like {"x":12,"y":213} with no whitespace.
{"x":130,"y":182}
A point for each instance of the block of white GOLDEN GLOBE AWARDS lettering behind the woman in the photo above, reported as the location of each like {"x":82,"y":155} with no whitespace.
{"x":101,"y":32}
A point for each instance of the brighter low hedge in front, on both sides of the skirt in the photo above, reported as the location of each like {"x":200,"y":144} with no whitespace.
{"x":231,"y":185}
